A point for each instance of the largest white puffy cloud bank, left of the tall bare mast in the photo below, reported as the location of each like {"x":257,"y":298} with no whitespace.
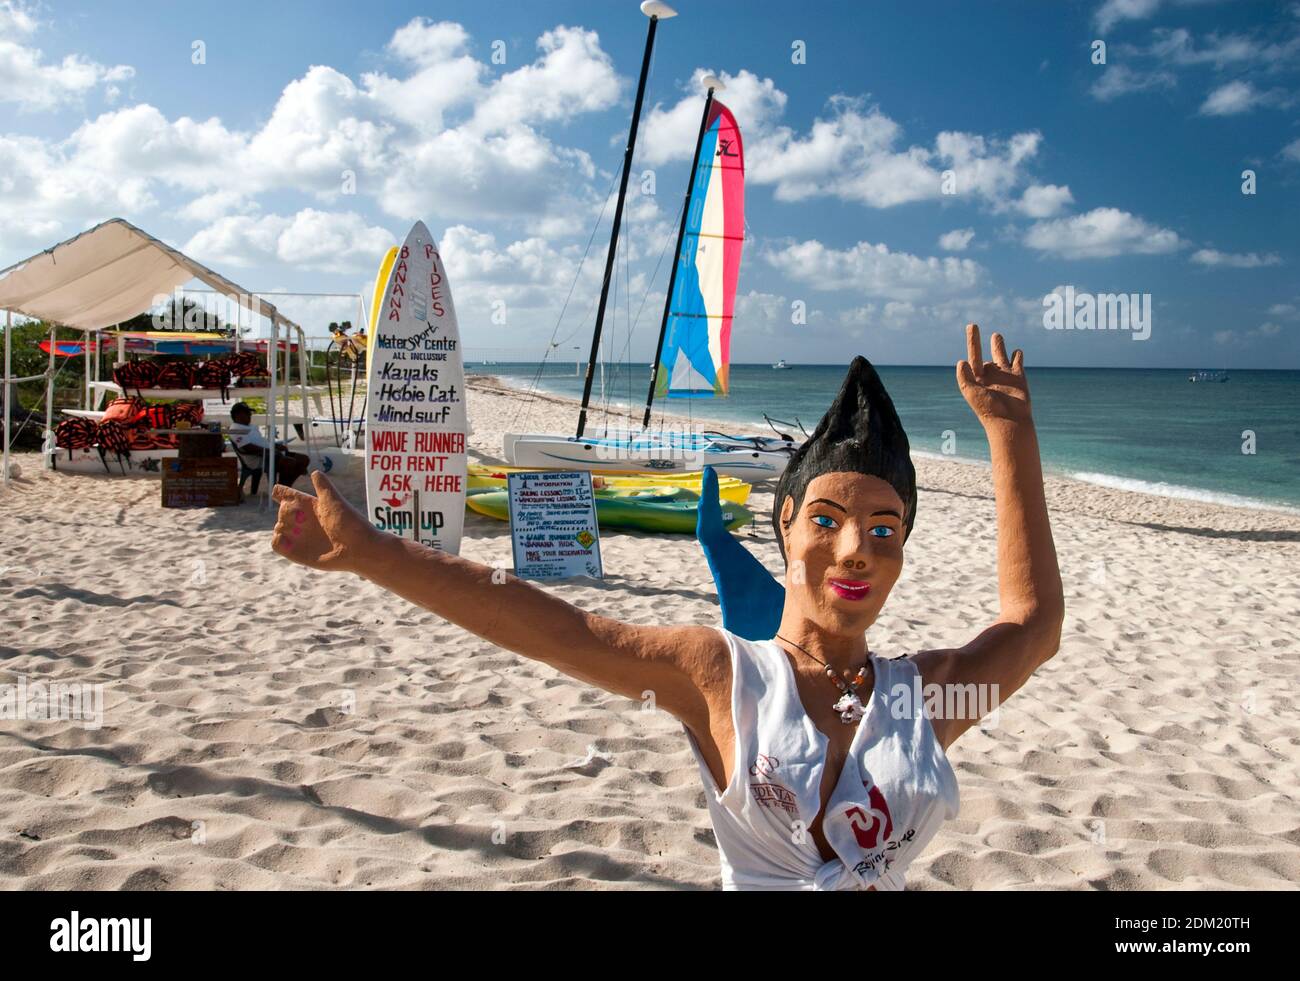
{"x":441,"y":138}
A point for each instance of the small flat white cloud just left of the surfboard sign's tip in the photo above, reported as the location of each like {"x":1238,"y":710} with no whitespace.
{"x":335,"y":242}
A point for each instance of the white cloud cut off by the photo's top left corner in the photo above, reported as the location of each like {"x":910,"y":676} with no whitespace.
{"x":32,"y":83}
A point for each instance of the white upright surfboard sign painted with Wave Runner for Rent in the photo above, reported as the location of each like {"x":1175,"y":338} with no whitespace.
{"x":415,"y":419}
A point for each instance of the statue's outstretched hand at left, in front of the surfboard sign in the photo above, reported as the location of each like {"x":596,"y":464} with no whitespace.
{"x":324,"y":532}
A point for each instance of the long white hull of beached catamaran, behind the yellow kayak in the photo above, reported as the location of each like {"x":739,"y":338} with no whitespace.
{"x":748,"y":458}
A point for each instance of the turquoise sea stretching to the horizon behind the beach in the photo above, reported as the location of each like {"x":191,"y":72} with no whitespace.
{"x":1137,"y":429}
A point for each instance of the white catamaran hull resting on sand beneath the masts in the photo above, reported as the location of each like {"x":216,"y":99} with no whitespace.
{"x":569,"y":454}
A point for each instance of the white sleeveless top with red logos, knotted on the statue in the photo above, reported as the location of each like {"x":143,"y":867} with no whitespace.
{"x":895,"y":792}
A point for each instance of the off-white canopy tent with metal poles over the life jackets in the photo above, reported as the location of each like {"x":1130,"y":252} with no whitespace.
{"x":106,"y":276}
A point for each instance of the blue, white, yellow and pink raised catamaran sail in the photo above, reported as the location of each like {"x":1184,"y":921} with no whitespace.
{"x":697,"y":331}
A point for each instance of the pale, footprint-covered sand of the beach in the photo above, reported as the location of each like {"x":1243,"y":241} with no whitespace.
{"x":268,"y":727}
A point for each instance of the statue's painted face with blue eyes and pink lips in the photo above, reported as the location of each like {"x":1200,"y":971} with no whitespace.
{"x":844,"y":550}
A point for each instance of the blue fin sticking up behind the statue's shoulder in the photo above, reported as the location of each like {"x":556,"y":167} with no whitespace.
{"x":751,"y":598}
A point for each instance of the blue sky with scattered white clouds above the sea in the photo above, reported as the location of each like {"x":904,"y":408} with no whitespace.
{"x":1124,"y":177}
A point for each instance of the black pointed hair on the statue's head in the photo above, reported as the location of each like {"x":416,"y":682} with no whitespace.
{"x":860,"y":433}
